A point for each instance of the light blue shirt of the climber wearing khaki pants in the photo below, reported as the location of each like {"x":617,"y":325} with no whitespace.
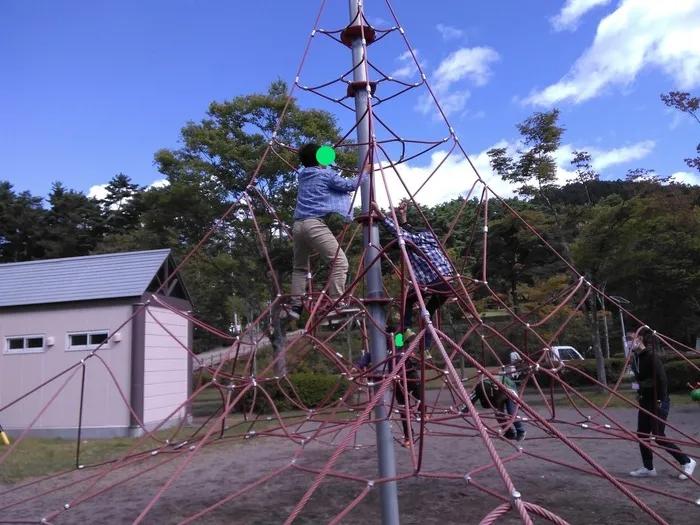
{"x":322,"y":191}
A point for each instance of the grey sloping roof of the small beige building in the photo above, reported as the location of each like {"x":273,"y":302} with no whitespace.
{"x":108,"y":276}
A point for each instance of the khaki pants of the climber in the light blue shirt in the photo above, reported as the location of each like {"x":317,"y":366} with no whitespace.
{"x":313,"y":235}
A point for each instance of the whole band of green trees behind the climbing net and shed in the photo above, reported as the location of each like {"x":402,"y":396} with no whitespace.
{"x":638,"y":238}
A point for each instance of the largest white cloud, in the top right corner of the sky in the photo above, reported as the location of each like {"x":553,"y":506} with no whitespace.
{"x":638,"y":35}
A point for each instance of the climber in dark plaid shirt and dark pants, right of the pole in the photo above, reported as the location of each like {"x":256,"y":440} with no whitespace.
{"x":430,"y":264}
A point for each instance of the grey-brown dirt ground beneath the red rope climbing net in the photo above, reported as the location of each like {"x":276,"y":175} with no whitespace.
{"x":220,"y":470}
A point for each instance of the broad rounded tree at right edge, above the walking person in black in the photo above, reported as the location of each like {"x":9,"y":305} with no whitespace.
{"x":647,"y":249}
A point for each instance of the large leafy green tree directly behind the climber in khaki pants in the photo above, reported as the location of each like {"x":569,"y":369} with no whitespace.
{"x":209,"y":175}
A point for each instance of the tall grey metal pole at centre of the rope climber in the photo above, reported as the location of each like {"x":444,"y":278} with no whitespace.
{"x":377,"y":341}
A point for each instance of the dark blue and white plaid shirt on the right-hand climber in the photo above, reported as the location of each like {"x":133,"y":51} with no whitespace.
{"x":431,"y":253}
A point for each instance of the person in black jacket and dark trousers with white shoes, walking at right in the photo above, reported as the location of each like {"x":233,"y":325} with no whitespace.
{"x":651,"y":384}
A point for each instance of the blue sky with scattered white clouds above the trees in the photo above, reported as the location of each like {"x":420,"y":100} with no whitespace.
{"x":95,"y":88}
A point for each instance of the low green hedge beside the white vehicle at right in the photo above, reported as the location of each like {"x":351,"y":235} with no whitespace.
{"x":679,"y":373}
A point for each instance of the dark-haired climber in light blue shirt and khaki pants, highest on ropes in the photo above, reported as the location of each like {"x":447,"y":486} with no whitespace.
{"x":322,"y":192}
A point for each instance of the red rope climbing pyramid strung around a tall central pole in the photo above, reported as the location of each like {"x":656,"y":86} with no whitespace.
{"x":441,"y":413}
